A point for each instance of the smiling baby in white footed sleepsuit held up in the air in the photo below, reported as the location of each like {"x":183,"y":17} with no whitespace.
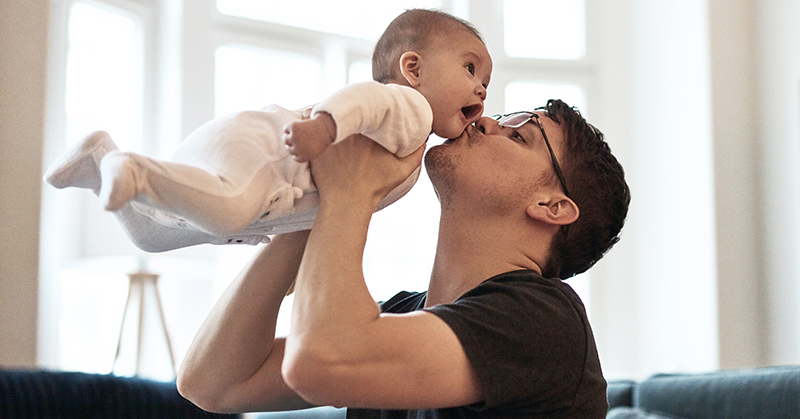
{"x":245,"y":176}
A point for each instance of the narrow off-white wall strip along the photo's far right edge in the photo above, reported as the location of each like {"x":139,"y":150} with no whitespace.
{"x":777,"y":113}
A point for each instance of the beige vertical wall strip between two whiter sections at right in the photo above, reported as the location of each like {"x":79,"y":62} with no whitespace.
{"x":736,"y":166}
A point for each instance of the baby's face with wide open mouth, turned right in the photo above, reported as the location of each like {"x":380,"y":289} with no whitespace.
{"x":454,"y":74}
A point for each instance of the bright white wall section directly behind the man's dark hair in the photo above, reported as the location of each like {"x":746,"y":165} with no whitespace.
{"x":654,"y":298}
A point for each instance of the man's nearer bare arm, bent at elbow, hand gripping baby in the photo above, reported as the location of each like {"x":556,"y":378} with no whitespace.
{"x":341,"y":349}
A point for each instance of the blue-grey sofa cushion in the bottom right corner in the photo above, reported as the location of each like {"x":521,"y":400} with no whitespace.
{"x":768,"y":393}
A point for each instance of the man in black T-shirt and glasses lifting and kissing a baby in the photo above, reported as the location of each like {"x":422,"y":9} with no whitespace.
{"x":492,"y":338}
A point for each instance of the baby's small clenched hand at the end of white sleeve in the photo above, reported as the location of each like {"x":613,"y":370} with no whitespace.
{"x":308,"y":138}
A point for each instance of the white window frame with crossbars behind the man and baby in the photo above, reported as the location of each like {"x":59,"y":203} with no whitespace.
{"x":179,"y":97}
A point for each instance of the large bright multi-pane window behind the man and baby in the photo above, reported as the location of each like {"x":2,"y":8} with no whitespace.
{"x":120,"y":76}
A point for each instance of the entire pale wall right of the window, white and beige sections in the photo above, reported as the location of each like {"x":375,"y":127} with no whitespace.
{"x":707,"y":273}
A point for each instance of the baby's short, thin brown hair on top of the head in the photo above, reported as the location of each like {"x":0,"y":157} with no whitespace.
{"x":411,"y":30}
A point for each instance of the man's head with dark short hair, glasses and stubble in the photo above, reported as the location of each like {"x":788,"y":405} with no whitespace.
{"x":511,"y":172}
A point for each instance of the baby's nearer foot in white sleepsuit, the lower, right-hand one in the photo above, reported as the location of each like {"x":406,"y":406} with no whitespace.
{"x":118,"y":180}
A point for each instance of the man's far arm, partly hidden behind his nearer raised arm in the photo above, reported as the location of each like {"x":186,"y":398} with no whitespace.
{"x":234,"y":362}
